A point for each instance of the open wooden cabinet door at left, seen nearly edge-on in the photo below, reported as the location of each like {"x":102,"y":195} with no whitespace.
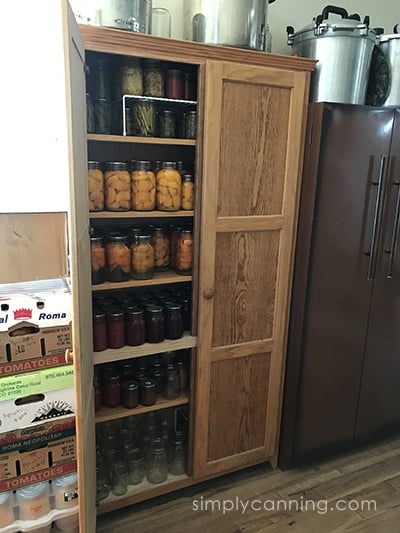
{"x":80,"y":275}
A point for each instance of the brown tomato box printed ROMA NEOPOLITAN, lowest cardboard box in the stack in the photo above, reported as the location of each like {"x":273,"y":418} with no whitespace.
{"x":37,"y":453}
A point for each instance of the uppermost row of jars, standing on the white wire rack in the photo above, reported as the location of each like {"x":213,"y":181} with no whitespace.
{"x":130,"y":76}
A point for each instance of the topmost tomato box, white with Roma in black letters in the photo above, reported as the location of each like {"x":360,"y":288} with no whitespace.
{"x":35,"y":325}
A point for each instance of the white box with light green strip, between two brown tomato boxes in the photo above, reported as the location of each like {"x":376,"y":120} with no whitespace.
{"x":36,"y":397}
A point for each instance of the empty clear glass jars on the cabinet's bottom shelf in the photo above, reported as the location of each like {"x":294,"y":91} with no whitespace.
{"x":126,"y":456}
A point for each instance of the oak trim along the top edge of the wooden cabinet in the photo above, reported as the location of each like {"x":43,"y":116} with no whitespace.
{"x":112,"y":41}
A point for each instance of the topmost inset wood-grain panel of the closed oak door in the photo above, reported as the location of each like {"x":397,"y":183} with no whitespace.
{"x":254,"y":120}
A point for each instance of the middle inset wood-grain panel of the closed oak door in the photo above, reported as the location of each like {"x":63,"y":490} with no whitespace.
{"x":245,"y":281}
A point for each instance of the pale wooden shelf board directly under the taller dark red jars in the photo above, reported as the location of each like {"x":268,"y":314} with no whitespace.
{"x":132,"y":352}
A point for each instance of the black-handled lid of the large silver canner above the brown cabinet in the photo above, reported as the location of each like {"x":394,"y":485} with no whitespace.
{"x":323,"y":26}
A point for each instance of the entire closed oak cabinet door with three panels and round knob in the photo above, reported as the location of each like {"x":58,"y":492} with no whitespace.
{"x":252,"y":152}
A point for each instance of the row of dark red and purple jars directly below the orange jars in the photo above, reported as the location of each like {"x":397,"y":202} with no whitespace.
{"x":137,"y":321}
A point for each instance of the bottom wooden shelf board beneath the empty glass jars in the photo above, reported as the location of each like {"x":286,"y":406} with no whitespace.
{"x":143,"y":491}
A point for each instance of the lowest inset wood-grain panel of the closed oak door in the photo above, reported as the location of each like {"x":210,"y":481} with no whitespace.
{"x":238,"y":386}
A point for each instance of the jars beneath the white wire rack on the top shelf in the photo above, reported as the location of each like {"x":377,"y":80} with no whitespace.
{"x":142,"y":118}
